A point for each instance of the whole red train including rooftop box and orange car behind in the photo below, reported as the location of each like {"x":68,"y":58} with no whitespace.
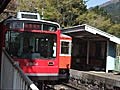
{"x":35,"y":44}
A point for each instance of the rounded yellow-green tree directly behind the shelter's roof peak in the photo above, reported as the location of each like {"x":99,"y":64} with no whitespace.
{"x":96,"y":17}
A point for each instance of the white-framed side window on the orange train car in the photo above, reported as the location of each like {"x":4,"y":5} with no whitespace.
{"x":65,"y":47}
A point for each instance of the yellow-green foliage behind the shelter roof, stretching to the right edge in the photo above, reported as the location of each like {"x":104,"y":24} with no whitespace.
{"x":98,"y":18}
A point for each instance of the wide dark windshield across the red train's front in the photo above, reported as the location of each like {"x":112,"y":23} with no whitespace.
{"x":31,"y":45}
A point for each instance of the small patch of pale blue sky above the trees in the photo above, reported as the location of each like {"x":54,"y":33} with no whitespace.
{"x":92,"y":3}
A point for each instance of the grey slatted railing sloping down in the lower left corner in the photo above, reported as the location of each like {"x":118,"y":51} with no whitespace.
{"x":12,"y":77}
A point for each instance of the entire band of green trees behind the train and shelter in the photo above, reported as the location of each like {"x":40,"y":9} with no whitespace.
{"x":67,"y":13}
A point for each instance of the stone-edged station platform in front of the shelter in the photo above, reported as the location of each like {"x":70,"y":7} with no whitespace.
{"x":98,"y":77}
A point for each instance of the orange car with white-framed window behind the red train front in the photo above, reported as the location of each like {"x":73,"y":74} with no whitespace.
{"x":65,"y":56}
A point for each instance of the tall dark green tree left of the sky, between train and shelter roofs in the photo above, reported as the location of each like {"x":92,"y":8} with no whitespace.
{"x":69,"y":11}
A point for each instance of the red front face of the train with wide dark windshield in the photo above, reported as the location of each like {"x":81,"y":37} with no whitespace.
{"x":35,"y":46}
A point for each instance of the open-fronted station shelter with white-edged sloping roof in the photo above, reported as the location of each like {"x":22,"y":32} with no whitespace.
{"x":92,"y":49}
